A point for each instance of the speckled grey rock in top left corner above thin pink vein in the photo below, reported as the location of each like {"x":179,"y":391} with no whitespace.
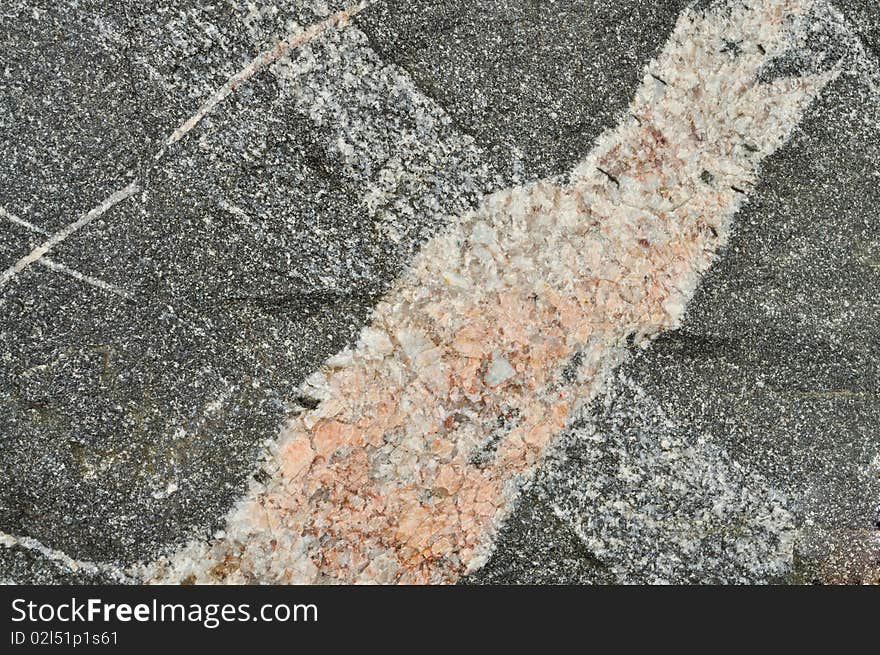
{"x":89,"y":90}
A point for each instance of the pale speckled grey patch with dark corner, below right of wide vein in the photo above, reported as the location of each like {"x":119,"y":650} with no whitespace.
{"x":646,"y":500}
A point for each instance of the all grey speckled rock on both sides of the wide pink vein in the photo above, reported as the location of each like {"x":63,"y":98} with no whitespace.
{"x":742,"y":447}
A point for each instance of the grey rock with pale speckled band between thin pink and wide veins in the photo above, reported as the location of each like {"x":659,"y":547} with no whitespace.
{"x":130,"y":424}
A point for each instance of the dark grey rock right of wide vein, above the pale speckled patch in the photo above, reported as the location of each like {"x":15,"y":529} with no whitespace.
{"x":781,"y":351}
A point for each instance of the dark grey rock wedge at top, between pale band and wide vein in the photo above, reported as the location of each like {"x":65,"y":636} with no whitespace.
{"x":534,"y":83}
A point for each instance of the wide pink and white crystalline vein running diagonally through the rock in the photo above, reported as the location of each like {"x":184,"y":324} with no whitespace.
{"x":483,"y":325}
